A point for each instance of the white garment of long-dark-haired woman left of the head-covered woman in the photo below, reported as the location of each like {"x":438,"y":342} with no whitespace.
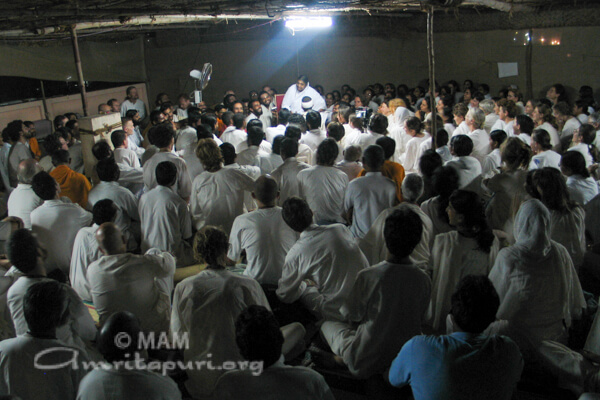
{"x":454,"y":256}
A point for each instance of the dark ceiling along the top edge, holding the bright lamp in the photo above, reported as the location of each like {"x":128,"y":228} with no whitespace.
{"x":41,"y":17}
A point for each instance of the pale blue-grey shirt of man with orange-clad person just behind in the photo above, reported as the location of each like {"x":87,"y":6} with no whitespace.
{"x":368,"y":196}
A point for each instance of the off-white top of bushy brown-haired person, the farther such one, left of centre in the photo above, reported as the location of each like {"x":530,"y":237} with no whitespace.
{"x":218,"y":197}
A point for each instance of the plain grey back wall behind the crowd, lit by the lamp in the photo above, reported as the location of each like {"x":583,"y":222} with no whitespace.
{"x":334,"y":60}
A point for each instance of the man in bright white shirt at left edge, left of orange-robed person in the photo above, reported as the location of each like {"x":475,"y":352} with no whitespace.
{"x":23,"y":200}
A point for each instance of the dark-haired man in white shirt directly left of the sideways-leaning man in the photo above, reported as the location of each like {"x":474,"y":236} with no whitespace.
{"x":263,"y":234}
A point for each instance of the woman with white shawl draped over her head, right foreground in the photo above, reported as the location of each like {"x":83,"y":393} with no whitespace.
{"x":538,"y":287}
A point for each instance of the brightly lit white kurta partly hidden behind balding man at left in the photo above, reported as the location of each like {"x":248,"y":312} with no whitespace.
{"x":85,"y":252}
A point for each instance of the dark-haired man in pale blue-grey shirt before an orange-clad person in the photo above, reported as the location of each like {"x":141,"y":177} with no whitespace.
{"x":367,"y":196}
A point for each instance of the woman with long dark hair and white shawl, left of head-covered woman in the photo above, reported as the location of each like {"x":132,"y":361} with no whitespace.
{"x":469,"y":250}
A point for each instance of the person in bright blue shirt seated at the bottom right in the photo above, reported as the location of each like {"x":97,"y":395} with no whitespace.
{"x":465,"y":364}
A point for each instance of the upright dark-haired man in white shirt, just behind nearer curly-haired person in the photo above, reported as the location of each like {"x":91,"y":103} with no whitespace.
{"x":166,"y":221}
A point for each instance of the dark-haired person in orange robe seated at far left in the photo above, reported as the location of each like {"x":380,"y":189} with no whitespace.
{"x":73,"y":185}
